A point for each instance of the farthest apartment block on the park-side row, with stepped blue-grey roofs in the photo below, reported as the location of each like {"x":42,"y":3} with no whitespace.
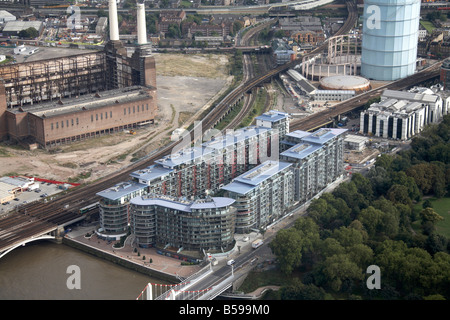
{"x":317,"y":160}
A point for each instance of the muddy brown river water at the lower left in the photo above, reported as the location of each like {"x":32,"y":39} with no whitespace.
{"x":40,"y":270}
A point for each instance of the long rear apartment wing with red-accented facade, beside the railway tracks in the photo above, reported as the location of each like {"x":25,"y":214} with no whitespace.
{"x":201,"y":170}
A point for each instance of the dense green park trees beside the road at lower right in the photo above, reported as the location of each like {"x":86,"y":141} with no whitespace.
{"x":369,"y":221}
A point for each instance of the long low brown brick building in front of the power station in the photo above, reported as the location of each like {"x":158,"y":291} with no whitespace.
{"x":79,"y":118}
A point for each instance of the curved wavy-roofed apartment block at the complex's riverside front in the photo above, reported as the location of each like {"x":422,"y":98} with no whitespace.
{"x":182,"y":225}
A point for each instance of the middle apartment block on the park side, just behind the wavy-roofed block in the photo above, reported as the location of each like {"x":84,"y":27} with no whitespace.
{"x":263,"y":195}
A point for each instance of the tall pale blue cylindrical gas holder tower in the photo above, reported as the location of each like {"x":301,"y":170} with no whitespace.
{"x":390,"y":36}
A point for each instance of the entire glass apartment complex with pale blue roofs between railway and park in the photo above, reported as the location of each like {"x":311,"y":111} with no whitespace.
{"x":169,"y":204}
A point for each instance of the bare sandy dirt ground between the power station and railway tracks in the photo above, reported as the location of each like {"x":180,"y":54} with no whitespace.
{"x":186,"y":85}
